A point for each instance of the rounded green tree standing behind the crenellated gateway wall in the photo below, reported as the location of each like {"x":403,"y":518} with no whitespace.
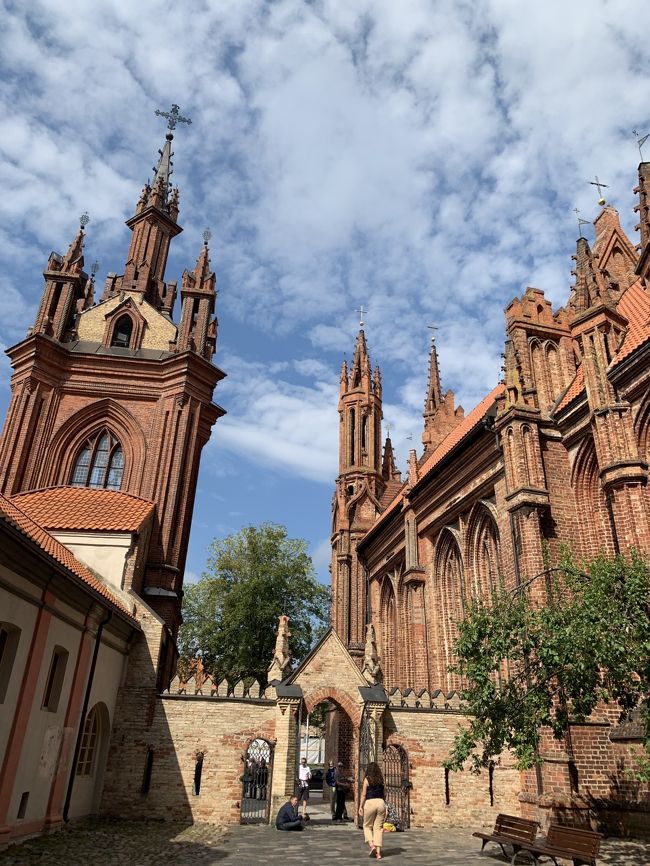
{"x":231,"y":615}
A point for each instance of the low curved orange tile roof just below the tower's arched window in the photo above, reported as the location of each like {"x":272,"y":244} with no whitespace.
{"x":85,"y":508}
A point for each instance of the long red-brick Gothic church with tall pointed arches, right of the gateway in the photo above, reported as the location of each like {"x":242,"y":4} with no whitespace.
{"x":556,"y":454}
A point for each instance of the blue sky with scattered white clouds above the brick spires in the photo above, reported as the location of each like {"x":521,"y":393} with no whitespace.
{"x":420,"y":158}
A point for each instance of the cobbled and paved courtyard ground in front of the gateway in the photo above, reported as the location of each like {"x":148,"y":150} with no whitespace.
{"x":111,"y":843}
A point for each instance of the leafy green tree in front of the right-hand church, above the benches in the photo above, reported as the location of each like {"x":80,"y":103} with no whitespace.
{"x":528,"y":665}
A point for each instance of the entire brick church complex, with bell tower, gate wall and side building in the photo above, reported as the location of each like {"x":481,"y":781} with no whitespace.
{"x":111,"y":406}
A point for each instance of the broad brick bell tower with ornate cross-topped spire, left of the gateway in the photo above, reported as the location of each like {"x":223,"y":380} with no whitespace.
{"x":113,"y":395}
